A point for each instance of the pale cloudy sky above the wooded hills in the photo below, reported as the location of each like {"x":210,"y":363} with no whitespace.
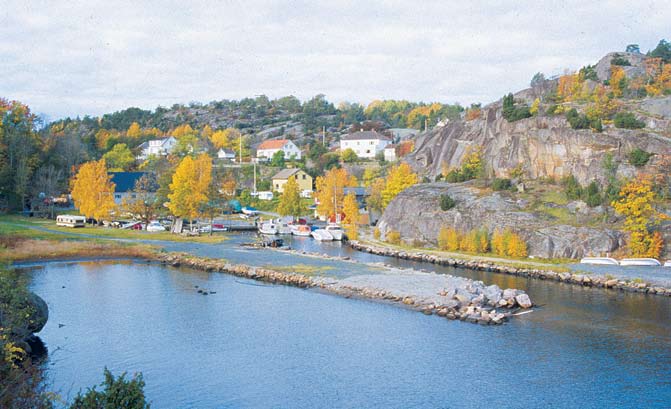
{"x":76,"y":58}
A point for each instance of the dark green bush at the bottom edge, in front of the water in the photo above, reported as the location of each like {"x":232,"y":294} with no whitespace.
{"x":117,"y":393}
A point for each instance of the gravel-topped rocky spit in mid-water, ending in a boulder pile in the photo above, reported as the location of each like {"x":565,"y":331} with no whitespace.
{"x":430,"y":293}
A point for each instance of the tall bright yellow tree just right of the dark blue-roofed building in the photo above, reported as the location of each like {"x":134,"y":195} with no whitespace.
{"x":190,"y":185}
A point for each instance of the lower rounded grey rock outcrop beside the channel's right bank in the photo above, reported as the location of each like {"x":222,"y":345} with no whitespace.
{"x":416,"y":214}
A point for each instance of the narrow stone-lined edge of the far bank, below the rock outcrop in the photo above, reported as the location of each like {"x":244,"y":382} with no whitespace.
{"x":588,"y":280}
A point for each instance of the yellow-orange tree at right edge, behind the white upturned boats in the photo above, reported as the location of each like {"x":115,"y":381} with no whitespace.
{"x":636,"y":203}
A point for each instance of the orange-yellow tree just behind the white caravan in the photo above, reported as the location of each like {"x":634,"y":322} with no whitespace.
{"x":93,"y":190}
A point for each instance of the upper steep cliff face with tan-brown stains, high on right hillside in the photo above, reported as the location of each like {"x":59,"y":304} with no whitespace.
{"x":545,"y":146}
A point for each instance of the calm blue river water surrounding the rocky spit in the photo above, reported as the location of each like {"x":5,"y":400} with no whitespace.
{"x":257,"y":345}
